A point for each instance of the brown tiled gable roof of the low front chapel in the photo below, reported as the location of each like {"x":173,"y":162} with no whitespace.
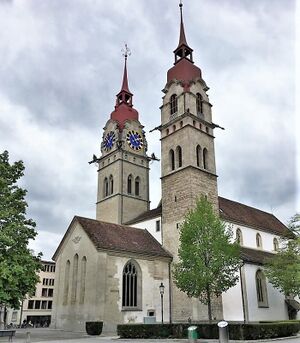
{"x":109,"y":236}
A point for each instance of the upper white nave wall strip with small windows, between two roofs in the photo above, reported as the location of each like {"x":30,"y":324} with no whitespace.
{"x":249,"y":237}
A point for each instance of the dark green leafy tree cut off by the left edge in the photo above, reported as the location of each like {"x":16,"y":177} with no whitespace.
{"x":18,"y":264}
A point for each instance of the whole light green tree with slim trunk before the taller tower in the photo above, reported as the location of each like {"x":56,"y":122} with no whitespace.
{"x":208,"y":261}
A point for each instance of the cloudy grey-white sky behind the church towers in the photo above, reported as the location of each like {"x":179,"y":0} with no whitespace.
{"x":61,"y":67}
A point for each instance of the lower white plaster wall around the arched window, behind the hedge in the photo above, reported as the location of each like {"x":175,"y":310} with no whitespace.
{"x":277,"y":309}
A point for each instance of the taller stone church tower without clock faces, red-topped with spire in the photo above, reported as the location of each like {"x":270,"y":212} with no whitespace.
{"x":188,"y":158}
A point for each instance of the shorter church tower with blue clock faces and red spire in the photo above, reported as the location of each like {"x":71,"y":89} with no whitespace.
{"x":123,"y":174}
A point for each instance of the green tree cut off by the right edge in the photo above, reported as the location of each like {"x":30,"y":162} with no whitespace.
{"x":283,"y":270}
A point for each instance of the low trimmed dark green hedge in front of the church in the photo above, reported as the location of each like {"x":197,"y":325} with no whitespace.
{"x":237,"y":331}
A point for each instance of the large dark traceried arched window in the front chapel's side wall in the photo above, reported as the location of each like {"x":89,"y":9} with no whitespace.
{"x":131,"y":286}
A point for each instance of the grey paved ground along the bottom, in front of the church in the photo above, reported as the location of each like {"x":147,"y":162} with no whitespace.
{"x":58,"y":336}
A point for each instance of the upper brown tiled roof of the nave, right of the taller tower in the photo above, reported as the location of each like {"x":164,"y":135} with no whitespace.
{"x":249,"y":216}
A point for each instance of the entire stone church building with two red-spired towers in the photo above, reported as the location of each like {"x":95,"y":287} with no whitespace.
{"x":110,"y":268}
